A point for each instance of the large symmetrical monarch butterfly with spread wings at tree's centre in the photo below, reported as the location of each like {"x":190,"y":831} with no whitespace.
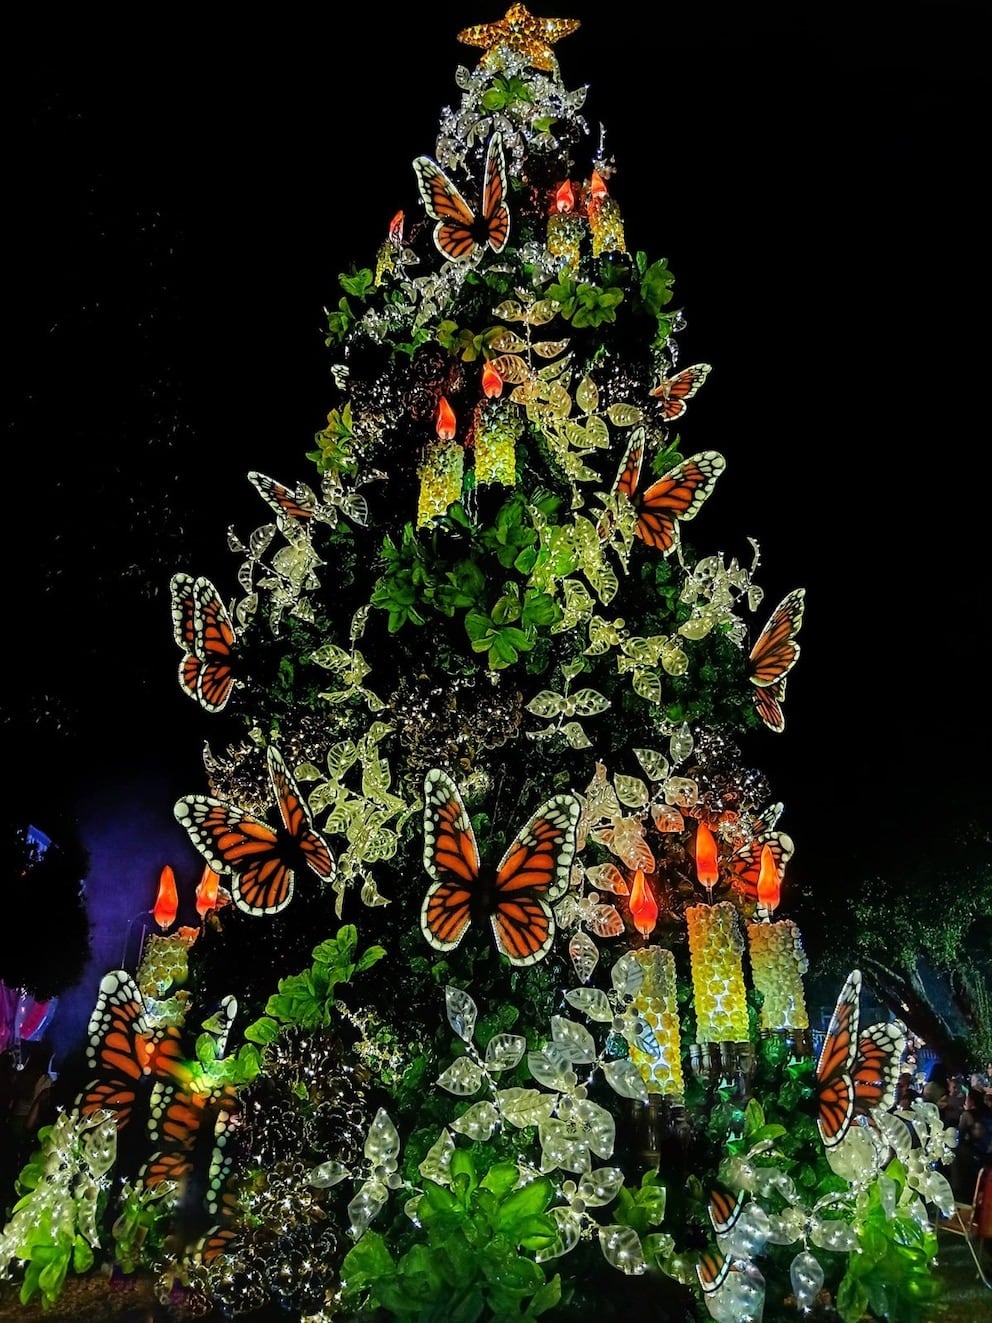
{"x":517,"y":896}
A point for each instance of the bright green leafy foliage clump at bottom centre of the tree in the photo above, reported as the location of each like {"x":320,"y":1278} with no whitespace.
{"x":473,"y":1255}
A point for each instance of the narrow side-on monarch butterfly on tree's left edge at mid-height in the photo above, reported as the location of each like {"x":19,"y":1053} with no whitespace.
{"x":203,"y":629}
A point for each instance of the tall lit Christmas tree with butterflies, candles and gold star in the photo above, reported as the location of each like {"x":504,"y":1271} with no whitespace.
{"x":489,"y":1014}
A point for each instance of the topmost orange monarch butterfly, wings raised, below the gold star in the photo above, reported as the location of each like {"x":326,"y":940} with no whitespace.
{"x":461,"y":234}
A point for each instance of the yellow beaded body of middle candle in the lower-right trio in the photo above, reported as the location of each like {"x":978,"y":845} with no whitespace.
{"x":716,"y":947}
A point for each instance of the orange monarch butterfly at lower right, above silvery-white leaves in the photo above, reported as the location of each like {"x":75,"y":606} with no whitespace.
{"x":858,"y":1071}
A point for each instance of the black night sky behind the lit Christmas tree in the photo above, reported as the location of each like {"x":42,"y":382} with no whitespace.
{"x":178,"y":216}
